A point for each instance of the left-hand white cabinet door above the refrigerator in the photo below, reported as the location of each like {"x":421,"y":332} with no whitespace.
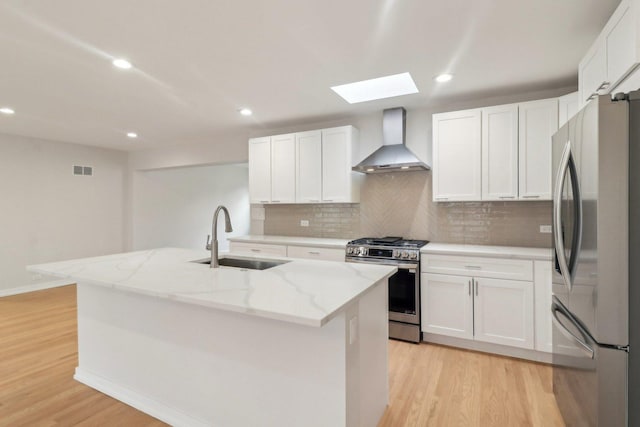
{"x":592,"y":72}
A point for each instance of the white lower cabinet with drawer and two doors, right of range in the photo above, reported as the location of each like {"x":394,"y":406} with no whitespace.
{"x":474,"y":306}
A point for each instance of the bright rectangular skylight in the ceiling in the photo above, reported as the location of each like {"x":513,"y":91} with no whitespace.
{"x":380,"y":88}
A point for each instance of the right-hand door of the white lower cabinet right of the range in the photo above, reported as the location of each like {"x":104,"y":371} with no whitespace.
{"x":503,"y":312}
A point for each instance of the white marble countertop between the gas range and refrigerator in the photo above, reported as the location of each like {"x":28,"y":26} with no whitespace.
{"x":513,"y":252}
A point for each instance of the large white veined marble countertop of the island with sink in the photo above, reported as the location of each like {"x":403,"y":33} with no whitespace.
{"x":307,"y":292}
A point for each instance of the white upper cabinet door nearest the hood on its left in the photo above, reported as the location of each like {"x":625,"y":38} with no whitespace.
{"x":337,"y":182}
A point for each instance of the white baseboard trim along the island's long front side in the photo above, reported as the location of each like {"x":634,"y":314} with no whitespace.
{"x":137,"y":400}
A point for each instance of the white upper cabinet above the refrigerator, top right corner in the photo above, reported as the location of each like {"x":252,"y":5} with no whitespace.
{"x":614,"y":54}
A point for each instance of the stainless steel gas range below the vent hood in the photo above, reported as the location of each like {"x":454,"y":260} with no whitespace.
{"x":404,"y":285}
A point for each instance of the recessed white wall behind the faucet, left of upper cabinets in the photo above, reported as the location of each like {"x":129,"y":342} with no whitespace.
{"x":174,"y":207}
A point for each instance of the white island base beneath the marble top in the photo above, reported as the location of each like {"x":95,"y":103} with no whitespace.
{"x":191,"y":365}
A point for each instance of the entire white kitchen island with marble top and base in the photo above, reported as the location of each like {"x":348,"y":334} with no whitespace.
{"x":302,"y":343}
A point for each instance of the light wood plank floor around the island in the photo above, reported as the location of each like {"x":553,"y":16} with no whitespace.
{"x":430,"y":385}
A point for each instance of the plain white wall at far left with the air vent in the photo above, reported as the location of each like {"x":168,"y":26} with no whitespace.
{"x":48,"y":214}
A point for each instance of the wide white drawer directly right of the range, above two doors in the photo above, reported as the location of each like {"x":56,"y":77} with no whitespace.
{"x":496,"y":268}
